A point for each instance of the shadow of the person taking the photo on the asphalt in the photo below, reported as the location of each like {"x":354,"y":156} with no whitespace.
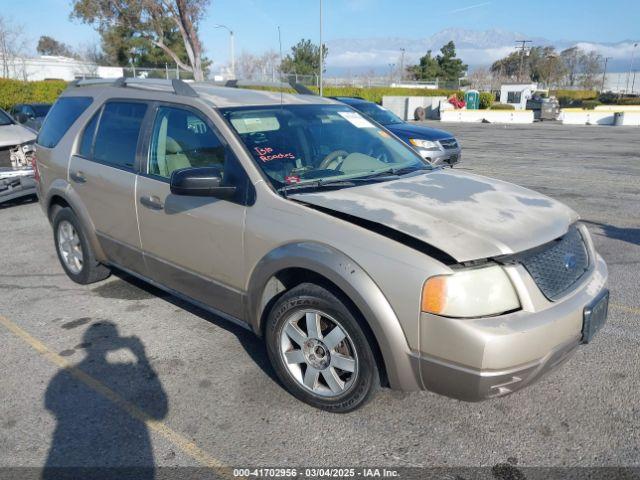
{"x":92,"y":434}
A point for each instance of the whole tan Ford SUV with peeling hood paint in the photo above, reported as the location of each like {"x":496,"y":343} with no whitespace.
{"x":307,"y":223}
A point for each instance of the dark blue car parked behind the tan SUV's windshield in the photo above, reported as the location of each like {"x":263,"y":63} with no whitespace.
{"x":436,"y":146}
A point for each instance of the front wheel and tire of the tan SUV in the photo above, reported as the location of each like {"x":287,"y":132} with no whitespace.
{"x":318,"y":358}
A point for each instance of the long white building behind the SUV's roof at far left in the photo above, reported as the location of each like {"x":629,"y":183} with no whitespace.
{"x":48,"y":67}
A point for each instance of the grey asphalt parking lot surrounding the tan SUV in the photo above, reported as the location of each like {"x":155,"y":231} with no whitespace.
{"x":118,"y":373}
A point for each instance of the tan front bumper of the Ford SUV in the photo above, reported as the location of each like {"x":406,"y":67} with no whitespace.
{"x":476,"y":359}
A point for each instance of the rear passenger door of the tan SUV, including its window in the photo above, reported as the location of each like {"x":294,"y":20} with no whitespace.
{"x":103,"y":172}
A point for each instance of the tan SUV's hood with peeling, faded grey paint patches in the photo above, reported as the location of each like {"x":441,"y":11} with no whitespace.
{"x":467,"y":216}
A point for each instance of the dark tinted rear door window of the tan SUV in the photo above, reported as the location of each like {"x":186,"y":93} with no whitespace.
{"x":118,"y":131}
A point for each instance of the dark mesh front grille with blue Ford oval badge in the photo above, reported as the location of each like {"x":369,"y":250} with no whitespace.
{"x":558,"y":266}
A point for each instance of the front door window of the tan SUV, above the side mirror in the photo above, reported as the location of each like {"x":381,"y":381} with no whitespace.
{"x":182,"y":139}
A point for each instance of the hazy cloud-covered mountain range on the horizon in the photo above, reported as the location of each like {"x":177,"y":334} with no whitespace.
{"x":477,"y":48}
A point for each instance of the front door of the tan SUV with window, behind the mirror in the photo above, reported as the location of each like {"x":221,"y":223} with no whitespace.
{"x":193,"y":245}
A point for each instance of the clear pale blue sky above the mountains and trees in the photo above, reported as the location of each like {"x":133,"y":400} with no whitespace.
{"x":255,"y":22}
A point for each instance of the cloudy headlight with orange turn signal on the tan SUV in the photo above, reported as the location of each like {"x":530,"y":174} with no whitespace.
{"x":470,"y":293}
